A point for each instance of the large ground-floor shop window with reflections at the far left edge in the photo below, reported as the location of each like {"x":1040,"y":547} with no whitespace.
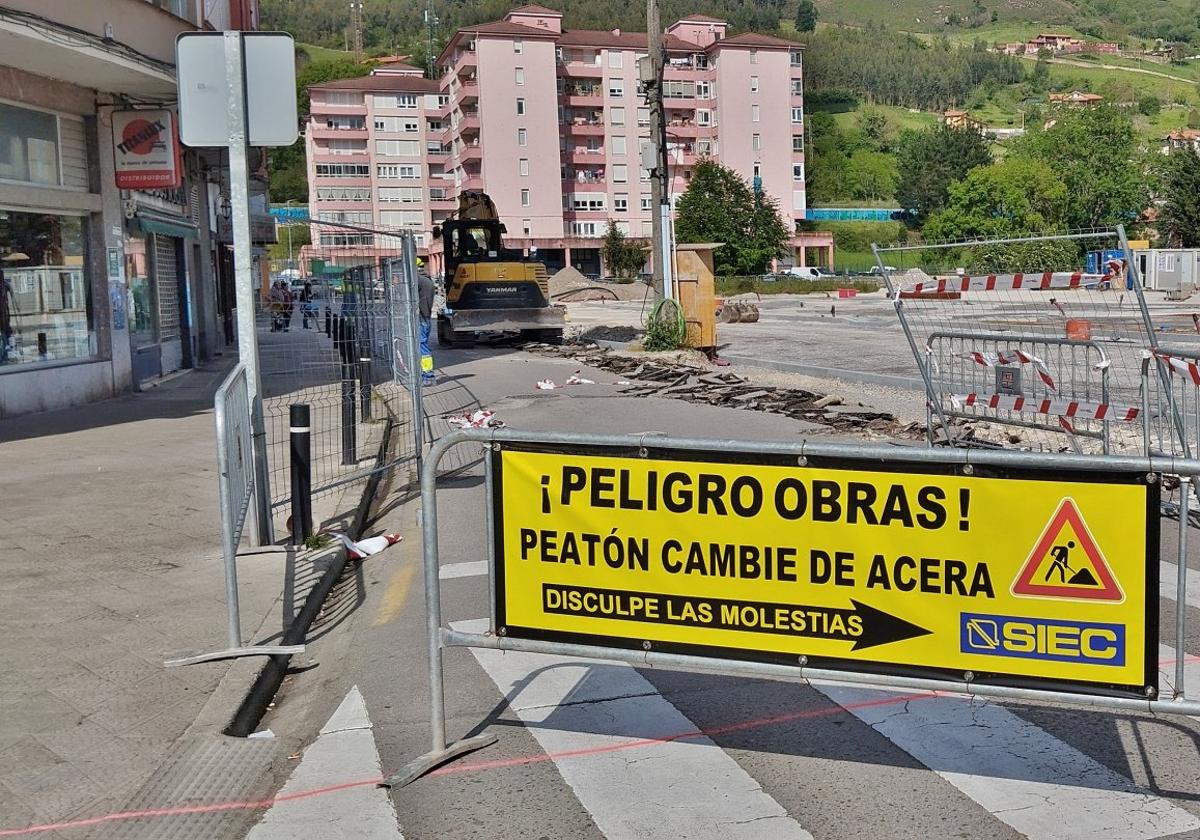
{"x":45,"y":292}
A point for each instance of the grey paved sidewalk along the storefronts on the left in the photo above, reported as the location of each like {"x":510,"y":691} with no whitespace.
{"x":110,"y":514}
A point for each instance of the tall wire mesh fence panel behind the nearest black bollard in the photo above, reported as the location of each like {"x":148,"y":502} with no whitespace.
{"x":350,"y":355}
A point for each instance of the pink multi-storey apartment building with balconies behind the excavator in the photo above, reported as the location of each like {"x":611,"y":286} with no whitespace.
{"x":551,"y":124}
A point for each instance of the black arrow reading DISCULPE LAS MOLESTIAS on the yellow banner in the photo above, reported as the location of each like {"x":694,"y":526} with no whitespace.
{"x":873,"y":628}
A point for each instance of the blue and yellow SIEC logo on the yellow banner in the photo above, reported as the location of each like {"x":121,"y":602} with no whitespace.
{"x":1055,"y":640}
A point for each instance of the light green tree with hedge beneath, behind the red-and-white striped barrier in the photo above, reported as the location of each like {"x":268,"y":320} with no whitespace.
{"x":1011,"y":199}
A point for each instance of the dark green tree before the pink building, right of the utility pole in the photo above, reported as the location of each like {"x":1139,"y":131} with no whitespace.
{"x":721,"y":207}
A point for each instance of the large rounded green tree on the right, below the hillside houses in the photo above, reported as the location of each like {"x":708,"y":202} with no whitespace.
{"x":1096,"y":154}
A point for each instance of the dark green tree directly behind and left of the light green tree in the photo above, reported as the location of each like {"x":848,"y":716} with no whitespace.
{"x":928,"y":163}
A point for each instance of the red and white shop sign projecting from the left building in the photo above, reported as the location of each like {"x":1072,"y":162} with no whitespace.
{"x":146,"y":151}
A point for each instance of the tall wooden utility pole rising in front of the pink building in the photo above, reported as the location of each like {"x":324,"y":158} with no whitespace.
{"x":656,"y":157}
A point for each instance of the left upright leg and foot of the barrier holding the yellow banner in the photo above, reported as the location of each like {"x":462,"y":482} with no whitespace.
{"x":440,"y":752}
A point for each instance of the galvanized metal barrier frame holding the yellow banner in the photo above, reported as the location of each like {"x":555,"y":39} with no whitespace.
{"x":975,"y":465}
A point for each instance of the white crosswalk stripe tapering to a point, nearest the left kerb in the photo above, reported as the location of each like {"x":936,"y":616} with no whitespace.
{"x":345,"y":749}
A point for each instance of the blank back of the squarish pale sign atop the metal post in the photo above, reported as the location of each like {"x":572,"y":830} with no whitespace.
{"x":271,"y":70}
